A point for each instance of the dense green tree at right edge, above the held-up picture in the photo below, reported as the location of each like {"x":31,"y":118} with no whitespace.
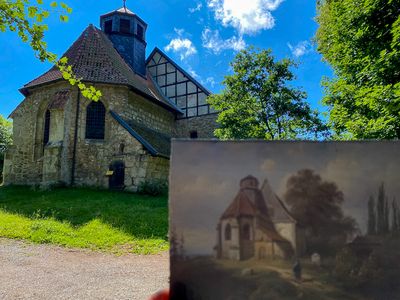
{"x":360,"y":39}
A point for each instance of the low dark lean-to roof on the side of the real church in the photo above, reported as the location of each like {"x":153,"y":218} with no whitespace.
{"x":157,"y":143}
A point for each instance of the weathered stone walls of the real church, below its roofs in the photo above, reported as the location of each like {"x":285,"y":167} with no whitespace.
{"x":30,"y":162}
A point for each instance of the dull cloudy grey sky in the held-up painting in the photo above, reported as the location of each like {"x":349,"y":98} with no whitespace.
{"x":205,"y":178}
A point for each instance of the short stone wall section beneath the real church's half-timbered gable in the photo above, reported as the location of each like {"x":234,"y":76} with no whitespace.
{"x":204,"y":125}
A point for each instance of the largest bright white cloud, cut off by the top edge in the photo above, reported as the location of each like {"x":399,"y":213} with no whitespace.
{"x":247,"y":16}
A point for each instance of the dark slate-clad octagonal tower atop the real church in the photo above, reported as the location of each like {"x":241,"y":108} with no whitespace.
{"x":128,"y":34}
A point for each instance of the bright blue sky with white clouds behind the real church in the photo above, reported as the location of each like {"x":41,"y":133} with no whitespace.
{"x":201,"y":35}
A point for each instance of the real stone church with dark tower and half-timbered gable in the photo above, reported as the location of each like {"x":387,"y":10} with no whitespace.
{"x":60,"y":137}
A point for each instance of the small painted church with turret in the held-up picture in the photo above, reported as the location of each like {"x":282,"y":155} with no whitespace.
{"x":258,"y":225}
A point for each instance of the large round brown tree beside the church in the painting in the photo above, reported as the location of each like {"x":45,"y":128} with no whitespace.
{"x":317,"y":205}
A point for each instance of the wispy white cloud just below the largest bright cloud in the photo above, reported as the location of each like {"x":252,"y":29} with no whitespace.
{"x":212,"y":40}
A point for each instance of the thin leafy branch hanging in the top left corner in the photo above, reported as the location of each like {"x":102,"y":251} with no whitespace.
{"x":27,"y":19}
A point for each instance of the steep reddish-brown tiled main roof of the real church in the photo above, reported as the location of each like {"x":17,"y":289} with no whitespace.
{"x":94,"y":59}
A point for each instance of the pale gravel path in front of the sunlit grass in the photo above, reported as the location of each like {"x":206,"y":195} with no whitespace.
{"x":48,"y":272}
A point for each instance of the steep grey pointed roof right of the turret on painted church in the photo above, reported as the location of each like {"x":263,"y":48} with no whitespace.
{"x":276,"y":208}
